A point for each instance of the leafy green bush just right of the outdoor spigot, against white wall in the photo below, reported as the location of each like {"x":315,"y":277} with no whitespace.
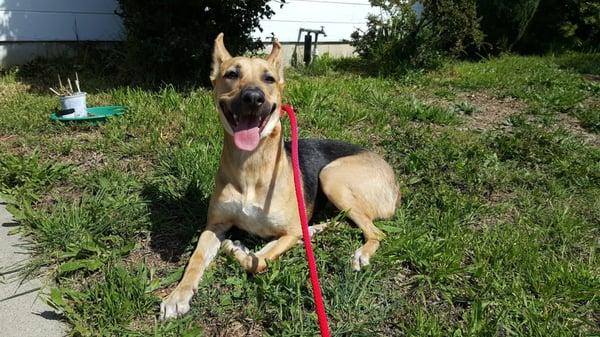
{"x":401,"y":38}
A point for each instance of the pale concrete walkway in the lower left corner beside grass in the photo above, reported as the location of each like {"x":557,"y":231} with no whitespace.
{"x":22,"y":313}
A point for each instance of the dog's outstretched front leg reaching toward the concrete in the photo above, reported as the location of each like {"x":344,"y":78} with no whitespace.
{"x":178,"y":302}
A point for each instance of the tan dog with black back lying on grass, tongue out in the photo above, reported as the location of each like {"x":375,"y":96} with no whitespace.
{"x":254,"y":184}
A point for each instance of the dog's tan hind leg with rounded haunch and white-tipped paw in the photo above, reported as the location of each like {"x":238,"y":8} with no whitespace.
{"x":365,"y":186}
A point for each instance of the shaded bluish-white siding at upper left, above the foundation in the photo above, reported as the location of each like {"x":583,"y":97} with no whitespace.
{"x":59,"y":20}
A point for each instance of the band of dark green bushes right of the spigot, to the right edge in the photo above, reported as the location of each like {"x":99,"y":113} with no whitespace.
{"x":399,"y":39}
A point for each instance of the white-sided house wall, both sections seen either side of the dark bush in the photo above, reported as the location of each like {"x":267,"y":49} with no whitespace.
{"x":30,"y":28}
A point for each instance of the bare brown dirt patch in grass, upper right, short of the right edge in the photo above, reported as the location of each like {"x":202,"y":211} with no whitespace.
{"x":492,"y":111}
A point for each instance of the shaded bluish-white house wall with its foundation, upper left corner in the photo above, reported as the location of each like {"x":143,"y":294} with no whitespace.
{"x":30,"y":28}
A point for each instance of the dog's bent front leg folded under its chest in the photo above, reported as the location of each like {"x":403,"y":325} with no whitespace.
{"x":257,"y":262}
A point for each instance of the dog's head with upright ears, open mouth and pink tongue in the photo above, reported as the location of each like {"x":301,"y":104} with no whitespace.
{"x":247,"y":93}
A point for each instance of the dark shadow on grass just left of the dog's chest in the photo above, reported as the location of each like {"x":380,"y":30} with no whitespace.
{"x":176,"y":222}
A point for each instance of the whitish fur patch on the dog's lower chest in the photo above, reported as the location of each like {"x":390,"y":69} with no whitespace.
{"x":252,"y":214}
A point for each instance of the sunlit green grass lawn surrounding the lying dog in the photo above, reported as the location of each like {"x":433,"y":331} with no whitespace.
{"x":498,"y":232}
